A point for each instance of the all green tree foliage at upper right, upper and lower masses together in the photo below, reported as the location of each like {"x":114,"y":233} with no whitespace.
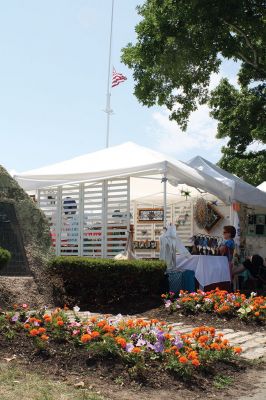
{"x":180,"y":43}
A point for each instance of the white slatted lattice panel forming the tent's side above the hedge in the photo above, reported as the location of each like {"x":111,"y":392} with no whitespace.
{"x":88,"y":219}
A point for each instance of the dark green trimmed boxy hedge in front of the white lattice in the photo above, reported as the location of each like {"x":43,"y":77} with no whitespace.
{"x":108,"y":281}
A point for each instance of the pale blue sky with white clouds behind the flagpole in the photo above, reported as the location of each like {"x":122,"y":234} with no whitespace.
{"x":53,"y":76}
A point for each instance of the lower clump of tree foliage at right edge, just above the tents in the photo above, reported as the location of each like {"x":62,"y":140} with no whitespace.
{"x":241,"y":116}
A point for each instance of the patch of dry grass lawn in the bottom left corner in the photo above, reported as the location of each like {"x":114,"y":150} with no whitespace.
{"x":17,"y":383}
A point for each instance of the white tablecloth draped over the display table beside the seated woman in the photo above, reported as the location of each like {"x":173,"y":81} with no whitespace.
{"x":208,"y":269}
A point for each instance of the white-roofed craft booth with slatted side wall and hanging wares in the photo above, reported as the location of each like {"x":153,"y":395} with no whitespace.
{"x":94,"y":201}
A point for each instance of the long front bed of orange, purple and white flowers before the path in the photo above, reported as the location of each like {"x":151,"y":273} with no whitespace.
{"x":134,"y":342}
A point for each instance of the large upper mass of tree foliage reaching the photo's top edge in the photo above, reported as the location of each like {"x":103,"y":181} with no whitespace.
{"x":180,"y":43}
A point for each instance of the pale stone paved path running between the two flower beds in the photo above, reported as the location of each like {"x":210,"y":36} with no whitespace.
{"x":253,"y":344}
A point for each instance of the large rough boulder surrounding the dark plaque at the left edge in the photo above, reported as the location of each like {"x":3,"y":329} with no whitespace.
{"x":37,"y":242}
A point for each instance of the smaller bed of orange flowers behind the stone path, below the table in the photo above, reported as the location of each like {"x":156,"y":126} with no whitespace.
{"x":219,"y":302}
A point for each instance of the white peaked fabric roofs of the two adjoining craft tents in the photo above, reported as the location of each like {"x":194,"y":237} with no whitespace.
{"x":132,"y":160}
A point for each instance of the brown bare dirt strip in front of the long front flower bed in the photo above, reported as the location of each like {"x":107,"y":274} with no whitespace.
{"x":115,"y":380}
